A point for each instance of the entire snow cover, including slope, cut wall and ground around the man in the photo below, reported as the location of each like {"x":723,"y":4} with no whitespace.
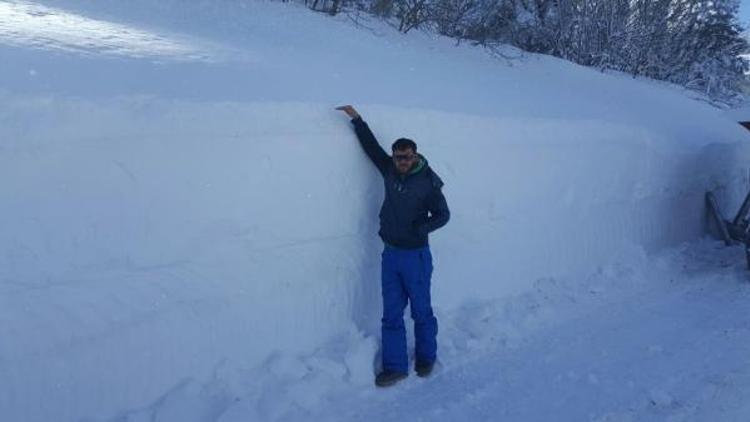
{"x":189,"y":227}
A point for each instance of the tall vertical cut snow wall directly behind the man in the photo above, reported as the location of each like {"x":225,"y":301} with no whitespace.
{"x":146,"y":241}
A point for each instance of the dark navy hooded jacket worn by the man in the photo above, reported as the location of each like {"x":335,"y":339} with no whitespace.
{"x":404,"y":219}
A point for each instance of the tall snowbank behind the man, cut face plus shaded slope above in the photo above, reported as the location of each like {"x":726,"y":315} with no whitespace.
{"x":165,"y":220}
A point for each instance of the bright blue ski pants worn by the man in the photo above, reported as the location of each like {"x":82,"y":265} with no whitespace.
{"x":405,"y":277}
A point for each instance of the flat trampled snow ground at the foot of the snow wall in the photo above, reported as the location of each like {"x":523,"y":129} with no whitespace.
{"x":663,"y":338}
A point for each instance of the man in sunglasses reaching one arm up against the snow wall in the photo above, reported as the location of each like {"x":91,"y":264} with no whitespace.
{"x":413,"y":207}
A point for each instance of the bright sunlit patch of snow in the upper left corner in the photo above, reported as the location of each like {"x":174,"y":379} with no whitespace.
{"x":27,"y":24}
